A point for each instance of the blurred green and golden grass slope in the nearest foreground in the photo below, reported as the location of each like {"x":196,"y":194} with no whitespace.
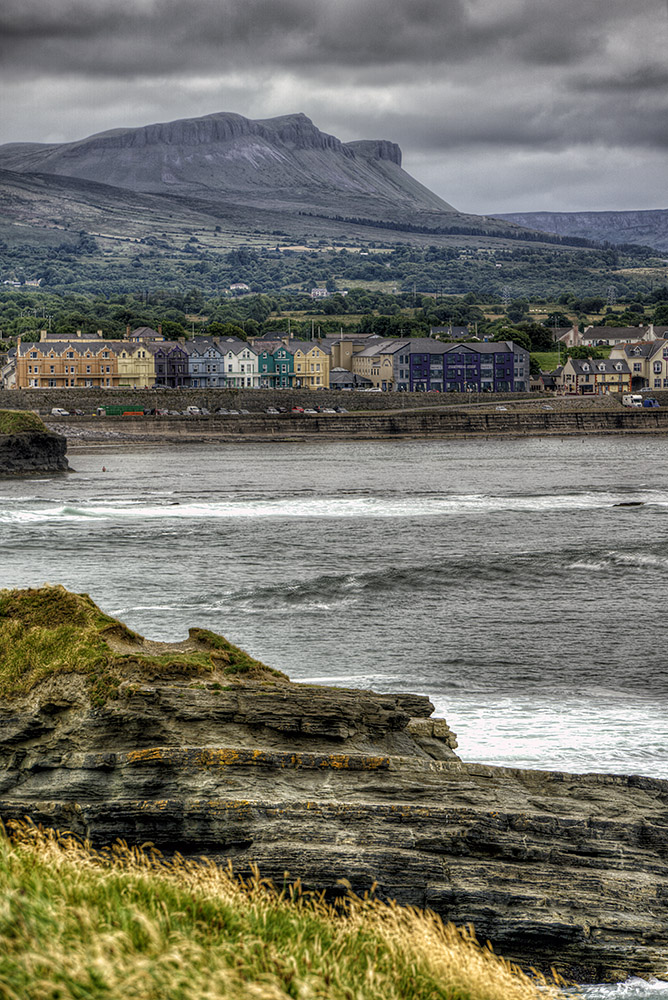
{"x":76,"y":924}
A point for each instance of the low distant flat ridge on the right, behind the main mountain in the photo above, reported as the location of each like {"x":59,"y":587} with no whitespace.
{"x":648,"y":228}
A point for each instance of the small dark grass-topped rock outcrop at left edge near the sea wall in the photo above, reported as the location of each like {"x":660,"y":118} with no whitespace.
{"x":27,"y":446}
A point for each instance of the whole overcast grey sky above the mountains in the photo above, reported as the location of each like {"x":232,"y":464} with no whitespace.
{"x":498,"y":105}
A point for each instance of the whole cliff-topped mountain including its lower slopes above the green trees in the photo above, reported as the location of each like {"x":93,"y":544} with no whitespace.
{"x":224,"y":180}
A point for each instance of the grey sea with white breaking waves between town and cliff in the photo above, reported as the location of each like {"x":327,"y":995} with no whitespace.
{"x":500,"y":577}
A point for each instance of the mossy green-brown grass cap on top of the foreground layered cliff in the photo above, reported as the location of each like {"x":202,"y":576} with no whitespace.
{"x":49,"y":631}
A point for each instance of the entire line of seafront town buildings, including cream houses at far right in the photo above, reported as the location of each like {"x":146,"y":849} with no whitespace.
{"x":145,"y":358}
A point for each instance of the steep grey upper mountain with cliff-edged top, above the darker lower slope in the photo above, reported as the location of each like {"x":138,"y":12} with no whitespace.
{"x":274,"y":163}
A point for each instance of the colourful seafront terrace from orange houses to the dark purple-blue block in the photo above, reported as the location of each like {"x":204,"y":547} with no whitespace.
{"x":144,"y":359}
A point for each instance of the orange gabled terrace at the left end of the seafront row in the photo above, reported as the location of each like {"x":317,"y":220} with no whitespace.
{"x":66,"y":364}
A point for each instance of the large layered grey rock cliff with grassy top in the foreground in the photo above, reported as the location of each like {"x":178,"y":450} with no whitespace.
{"x":200,"y":749}
